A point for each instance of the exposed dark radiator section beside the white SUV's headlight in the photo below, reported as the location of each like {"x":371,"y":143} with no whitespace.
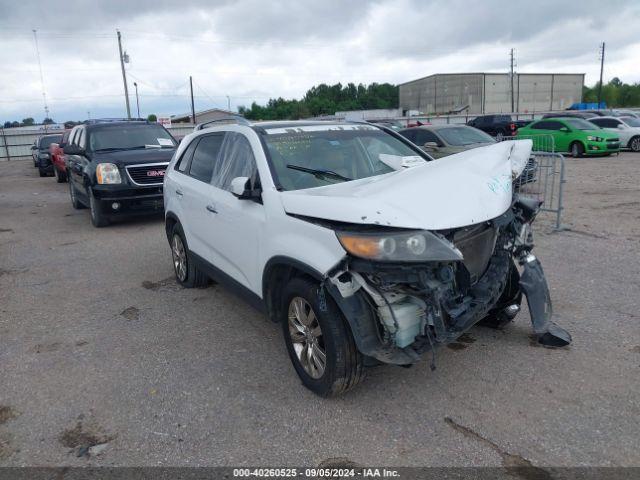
{"x":476,"y":244}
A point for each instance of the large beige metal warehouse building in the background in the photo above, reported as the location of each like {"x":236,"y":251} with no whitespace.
{"x":491,"y":92}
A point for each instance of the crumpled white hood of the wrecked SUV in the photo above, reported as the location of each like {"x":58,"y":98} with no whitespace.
{"x":455,"y":191}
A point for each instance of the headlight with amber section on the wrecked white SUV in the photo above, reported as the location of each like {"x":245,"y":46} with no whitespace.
{"x":415,"y":246}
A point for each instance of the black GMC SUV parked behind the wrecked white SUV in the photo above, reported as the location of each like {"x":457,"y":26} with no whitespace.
{"x":117,"y":168}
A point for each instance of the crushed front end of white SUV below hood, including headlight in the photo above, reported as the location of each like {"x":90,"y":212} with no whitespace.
{"x":405,"y":292}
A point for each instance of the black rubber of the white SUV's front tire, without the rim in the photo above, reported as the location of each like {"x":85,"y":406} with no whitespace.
{"x":344,"y":364}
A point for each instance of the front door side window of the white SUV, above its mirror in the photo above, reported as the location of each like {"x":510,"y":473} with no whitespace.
{"x":236,"y":160}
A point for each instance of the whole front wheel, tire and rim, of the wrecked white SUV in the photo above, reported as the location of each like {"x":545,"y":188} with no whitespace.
{"x":318,"y":331}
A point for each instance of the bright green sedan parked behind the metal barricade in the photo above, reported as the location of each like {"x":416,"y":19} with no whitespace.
{"x":574,"y":135}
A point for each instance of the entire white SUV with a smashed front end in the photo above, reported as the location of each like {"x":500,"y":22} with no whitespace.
{"x":365,"y":249}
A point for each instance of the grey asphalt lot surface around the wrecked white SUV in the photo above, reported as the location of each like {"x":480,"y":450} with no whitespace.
{"x":98,"y":345}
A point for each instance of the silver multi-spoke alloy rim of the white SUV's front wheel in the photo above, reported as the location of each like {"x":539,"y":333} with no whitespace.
{"x":306,"y":336}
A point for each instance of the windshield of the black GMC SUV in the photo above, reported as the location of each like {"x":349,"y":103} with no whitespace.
{"x":125,"y":137}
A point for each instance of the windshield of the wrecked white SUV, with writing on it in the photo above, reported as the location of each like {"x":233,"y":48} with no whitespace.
{"x":318,"y":155}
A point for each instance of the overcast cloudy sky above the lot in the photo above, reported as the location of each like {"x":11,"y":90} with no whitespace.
{"x":251,"y":50}
